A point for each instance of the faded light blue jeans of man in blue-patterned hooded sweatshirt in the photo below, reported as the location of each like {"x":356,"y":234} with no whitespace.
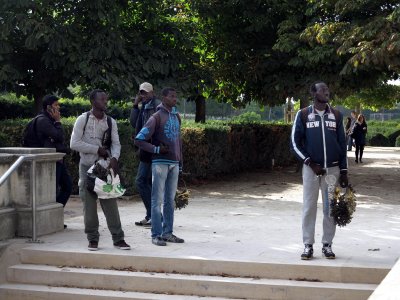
{"x":165,"y":182}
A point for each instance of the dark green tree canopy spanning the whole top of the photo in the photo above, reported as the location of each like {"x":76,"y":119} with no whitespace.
{"x":233,"y":50}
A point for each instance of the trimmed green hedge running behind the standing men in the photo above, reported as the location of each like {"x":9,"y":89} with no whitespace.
{"x":209,"y":149}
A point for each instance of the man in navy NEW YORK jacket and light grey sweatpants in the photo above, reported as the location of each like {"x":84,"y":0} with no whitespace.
{"x":318,"y":139}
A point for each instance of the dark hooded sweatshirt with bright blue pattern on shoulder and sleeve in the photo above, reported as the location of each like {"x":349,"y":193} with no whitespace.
{"x":163,"y":128}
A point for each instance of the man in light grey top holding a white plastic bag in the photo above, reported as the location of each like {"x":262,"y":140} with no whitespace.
{"x":93,"y":138}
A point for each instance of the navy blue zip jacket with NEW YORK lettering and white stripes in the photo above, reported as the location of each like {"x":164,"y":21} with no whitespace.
{"x":323,"y":139}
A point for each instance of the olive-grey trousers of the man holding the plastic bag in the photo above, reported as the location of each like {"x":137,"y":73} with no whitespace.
{"x":91,"y":219}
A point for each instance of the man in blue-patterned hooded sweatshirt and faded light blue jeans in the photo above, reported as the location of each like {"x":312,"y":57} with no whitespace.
{"x":163,"y":130}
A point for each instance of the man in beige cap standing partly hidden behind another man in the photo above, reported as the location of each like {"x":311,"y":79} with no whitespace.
{"x":139,"y":117}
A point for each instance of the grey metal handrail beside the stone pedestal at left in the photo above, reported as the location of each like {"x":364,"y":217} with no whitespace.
{"x":7,"y":174}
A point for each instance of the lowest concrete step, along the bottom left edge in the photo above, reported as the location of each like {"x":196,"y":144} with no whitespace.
{"x":41,"y":292}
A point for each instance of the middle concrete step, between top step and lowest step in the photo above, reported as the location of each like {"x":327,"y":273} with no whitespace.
{"x":181,"y":284}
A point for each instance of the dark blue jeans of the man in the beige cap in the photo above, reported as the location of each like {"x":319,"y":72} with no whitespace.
{"x":143,"y":184}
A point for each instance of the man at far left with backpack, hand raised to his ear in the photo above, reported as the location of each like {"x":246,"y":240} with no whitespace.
{"x":45,"y":131}
